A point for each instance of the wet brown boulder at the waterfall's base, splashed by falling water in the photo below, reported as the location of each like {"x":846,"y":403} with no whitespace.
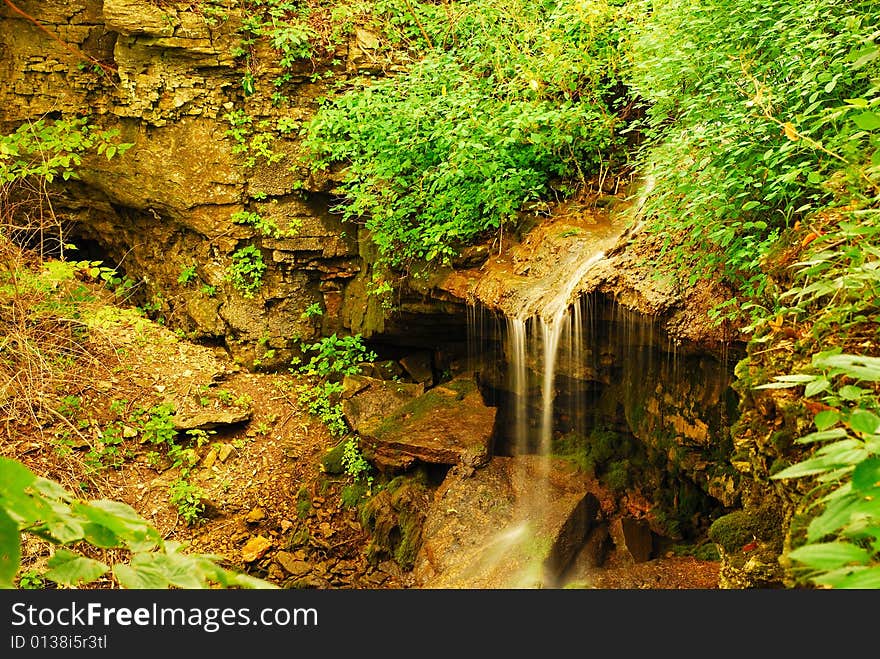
{"x":516,"y":523}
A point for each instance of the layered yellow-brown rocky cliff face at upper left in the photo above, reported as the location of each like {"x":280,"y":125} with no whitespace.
{"x":167,"y":205}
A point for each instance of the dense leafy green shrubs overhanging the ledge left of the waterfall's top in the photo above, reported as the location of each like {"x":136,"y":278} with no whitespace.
{"x":507,"y":97}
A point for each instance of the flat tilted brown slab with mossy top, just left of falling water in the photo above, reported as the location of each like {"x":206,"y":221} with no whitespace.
{"x":449,"y":424}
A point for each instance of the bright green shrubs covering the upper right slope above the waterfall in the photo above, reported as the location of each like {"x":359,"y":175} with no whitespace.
{"x":758,"y":114}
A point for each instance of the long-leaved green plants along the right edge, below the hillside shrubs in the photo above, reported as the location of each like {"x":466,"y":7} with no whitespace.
{"x":836,"y":294}
